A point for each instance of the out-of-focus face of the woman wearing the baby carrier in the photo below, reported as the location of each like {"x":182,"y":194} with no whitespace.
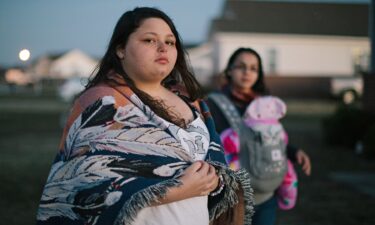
{"x":244,"y":71}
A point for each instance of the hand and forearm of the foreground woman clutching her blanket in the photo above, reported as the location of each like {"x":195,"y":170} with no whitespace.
{"x":199,"y":179}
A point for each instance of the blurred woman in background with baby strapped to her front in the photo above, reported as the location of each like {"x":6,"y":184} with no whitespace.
{"x":244,"y":74}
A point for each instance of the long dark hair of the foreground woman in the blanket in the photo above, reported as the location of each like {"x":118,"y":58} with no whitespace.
{"x":128,"y":23}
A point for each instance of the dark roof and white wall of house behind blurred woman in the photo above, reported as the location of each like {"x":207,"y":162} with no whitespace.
{"x":293,"y":38}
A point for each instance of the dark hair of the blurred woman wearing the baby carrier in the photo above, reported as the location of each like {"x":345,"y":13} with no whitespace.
{"x":259,"y":86}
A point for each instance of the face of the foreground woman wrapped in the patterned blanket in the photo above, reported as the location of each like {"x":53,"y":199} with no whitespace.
{"x":150,"y":53}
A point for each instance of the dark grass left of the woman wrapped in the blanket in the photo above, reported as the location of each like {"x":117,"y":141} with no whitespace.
{"x":29,"y":136}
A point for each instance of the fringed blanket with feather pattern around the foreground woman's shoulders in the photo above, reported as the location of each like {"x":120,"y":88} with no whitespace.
{"x":117,"y":157}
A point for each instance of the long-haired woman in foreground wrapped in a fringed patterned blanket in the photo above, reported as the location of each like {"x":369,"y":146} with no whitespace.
{"x":139,"y":146}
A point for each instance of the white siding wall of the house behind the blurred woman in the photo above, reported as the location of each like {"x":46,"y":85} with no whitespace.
{"x":296,"y":54}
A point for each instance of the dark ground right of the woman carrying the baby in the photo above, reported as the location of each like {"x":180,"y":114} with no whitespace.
{"x":324,"y":198}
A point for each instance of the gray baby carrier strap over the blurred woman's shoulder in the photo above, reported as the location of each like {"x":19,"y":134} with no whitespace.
{"x":229,"y":110}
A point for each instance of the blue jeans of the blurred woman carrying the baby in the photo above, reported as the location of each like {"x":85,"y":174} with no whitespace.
{"x":265,"y":213}
